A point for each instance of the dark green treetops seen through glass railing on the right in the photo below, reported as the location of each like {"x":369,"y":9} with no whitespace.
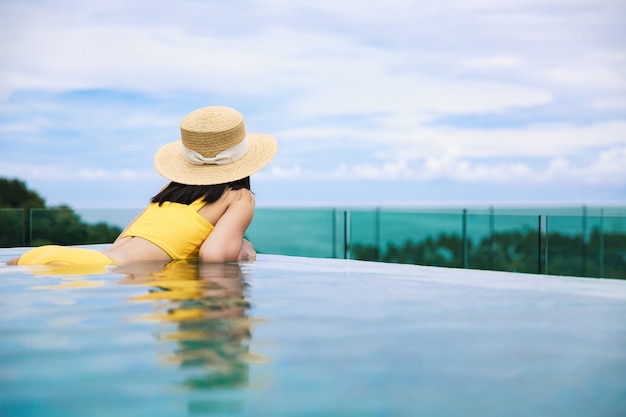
{"x":604,"y":255}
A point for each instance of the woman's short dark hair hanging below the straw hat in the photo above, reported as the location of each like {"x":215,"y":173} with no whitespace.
{"x":186,"y":194}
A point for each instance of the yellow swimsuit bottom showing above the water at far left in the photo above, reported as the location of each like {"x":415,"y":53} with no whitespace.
{"x":63,"y":255}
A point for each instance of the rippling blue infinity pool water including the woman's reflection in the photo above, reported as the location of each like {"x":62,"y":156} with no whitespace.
{"x":288,"y":336}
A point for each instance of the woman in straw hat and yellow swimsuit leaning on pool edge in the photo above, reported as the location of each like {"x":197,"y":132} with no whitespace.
{"x":202,"y":213}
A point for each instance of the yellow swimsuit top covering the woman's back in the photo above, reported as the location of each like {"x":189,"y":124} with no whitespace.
{"x":176,"y":228}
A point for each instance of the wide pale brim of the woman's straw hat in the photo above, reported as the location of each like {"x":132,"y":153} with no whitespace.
{"x":171,"y":164}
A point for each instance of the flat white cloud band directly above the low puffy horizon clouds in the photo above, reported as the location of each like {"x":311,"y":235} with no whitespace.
{"x":401,"y":137}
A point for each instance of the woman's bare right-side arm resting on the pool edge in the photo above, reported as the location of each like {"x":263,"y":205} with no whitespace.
{"x":225,"y":243}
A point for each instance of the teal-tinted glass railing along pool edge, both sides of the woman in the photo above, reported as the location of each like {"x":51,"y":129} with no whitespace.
{"x":588,"y":244}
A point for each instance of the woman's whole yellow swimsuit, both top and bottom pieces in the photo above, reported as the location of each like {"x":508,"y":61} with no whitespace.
{"x":176,"y":228}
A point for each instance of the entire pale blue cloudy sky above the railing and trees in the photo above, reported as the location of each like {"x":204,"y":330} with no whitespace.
{"x":374,"y":103}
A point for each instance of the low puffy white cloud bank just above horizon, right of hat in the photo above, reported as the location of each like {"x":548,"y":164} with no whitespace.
{"x":608,"y":167}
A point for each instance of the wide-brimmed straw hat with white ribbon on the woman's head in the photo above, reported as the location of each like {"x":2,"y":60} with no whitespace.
{"x":214,"y":149}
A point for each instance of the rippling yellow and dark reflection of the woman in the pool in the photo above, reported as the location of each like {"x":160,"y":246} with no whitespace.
{"x":207,"y":306}
